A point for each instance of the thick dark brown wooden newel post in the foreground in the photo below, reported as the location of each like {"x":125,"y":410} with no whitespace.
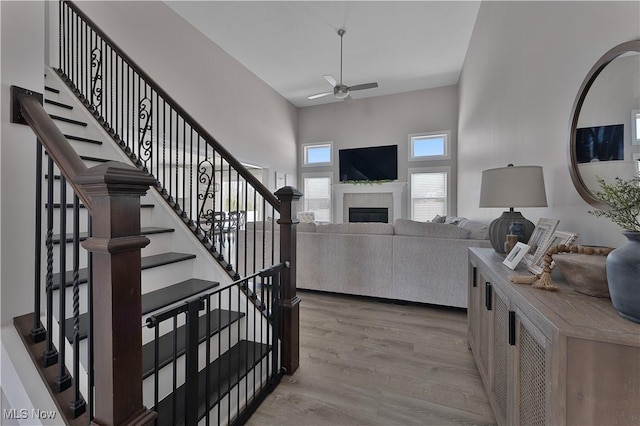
{"x":115,"y":190}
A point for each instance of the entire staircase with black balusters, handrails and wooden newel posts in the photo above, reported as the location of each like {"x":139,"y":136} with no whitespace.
{"x":155,"y":309}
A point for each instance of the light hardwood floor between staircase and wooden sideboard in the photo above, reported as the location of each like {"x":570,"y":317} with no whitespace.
{"x":364,"y":362}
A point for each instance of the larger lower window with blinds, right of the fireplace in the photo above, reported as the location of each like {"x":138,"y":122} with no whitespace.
{"x":429,"y":189}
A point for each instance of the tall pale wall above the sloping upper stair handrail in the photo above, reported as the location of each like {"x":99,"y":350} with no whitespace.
{"x":246,"y":116}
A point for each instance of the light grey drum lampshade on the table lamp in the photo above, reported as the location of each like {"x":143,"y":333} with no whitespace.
{"x":513,"y":186}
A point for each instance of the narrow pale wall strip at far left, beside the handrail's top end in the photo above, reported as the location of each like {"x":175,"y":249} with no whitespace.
{"x":22,"y":65}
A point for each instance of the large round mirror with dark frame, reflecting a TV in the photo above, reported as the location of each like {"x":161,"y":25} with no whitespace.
{"x":605,"y":126}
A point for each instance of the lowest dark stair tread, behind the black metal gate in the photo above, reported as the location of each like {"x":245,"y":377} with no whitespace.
{"x":234,"y":364}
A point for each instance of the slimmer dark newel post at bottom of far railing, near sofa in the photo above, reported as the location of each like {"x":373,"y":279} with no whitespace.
{"x":289,"y":197}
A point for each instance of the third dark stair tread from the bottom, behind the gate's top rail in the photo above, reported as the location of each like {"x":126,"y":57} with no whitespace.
{"x":179,"y":294}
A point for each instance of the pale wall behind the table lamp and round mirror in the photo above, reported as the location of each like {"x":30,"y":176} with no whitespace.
{"x":523,"y":69}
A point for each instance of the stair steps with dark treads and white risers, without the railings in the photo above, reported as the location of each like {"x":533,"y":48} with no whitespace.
{"x":169,"y":278}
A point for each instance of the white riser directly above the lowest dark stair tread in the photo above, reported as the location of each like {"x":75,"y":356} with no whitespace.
{"x":166,"y":373}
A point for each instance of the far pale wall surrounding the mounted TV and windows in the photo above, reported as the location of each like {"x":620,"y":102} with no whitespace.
{"x":383,"y":120}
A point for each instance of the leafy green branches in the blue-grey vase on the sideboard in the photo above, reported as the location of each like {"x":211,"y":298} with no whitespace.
{"x":623,"y":198}
